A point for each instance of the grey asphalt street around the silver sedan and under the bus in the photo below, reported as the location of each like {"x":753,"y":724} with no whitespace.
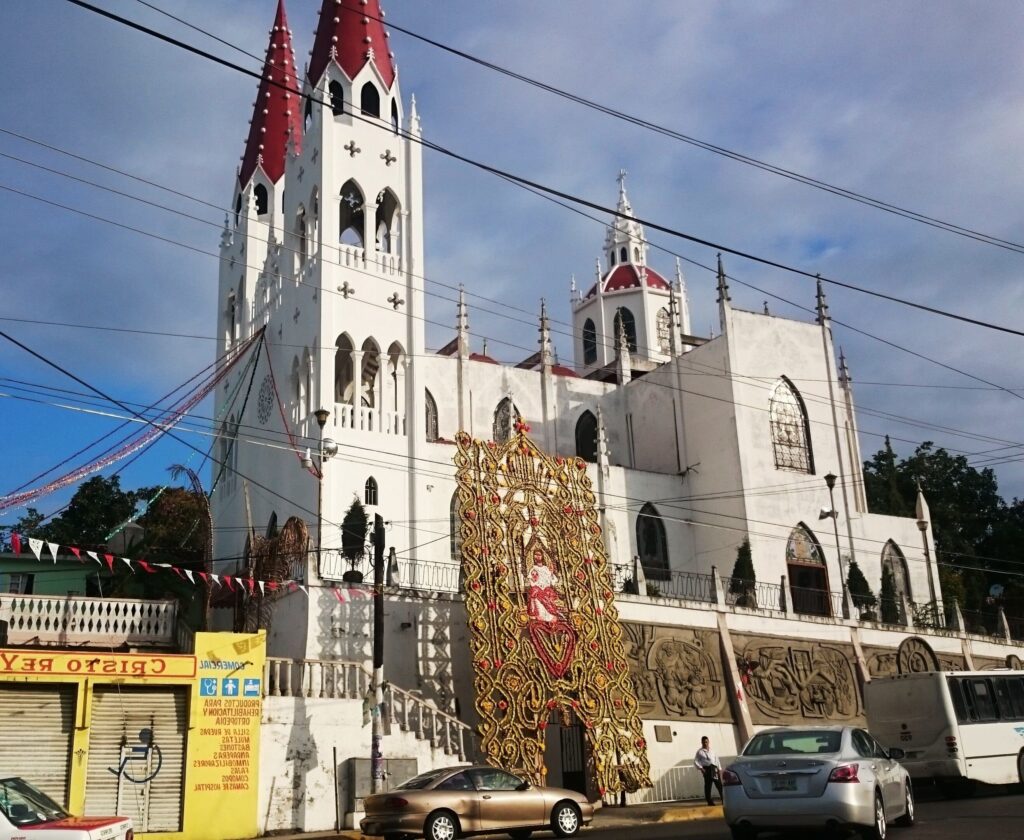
{"x":994,"y":816}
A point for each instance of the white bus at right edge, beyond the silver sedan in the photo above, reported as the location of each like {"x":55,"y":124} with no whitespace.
{"x":958,"y":728}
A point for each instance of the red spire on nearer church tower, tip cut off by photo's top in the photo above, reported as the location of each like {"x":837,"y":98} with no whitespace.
{"x":352,"y":32}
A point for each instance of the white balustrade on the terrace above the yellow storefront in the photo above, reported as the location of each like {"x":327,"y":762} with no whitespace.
{"x":73,"y":620}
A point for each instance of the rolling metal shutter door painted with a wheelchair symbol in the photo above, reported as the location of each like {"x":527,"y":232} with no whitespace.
{"x":149,"y":787}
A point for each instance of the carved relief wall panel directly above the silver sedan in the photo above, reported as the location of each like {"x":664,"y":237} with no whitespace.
{"x":790,"y":682}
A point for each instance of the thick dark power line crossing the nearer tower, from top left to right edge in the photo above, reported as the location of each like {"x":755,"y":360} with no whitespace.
{"x":552,"y":191}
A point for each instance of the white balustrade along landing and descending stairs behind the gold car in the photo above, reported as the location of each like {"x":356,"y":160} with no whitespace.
{"x":336,"y":680}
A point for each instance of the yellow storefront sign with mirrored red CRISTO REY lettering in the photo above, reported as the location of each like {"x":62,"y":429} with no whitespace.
{"x":37,"y":664}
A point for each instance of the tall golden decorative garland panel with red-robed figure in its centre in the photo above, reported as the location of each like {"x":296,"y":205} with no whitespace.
{"x":544,"y":629}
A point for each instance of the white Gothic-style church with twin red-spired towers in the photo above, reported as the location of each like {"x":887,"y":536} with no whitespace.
{"x":694,"y":444}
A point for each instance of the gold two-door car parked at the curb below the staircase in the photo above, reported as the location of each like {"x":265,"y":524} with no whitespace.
{"x":459,"y":802}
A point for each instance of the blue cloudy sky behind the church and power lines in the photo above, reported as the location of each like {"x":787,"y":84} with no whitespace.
{"x":919,"y":104}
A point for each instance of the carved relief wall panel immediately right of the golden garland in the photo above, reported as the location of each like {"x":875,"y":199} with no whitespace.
{"x":677,"y":674}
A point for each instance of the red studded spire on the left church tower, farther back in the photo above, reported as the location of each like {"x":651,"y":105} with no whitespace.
{"x":278,"y":112}
